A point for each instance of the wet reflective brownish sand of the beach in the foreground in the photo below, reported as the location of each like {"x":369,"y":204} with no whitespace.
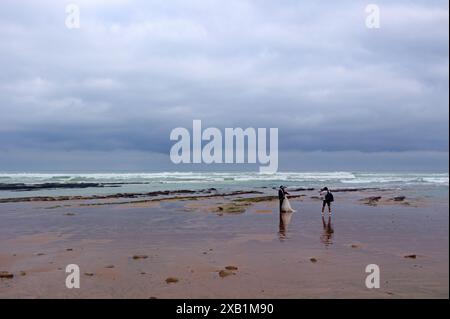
{"x":235,"y":246}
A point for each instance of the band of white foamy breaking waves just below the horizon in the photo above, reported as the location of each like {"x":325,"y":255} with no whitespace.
{"x":303,"y":178}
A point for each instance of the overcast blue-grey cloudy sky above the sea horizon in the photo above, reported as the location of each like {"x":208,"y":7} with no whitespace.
{"x":107,"y":95}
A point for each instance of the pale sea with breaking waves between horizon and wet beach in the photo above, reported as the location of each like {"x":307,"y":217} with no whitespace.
{"x":426,"y":184}
